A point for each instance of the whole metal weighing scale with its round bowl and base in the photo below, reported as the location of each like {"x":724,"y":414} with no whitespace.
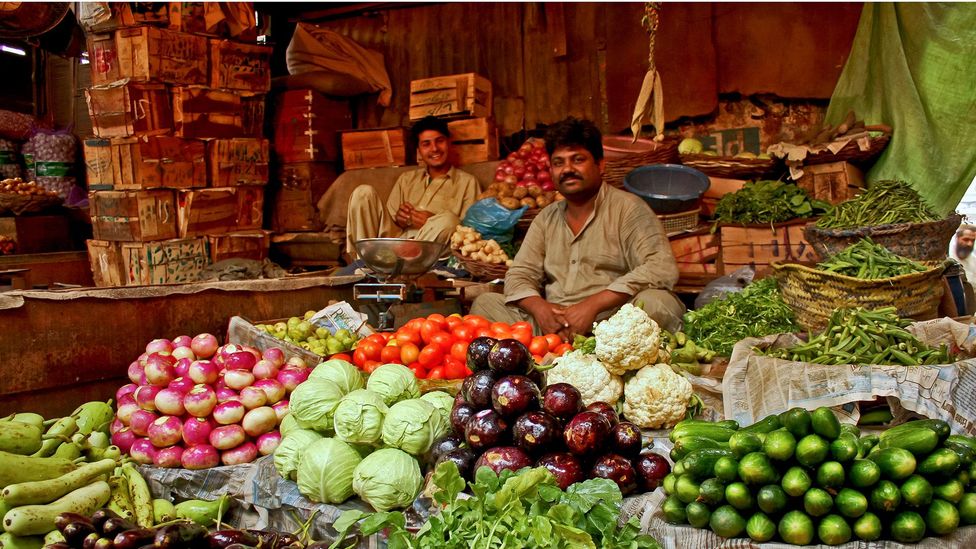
{"x":394,"y":263}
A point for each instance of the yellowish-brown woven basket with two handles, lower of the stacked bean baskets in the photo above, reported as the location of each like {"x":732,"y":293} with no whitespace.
{"x":814,"y":295}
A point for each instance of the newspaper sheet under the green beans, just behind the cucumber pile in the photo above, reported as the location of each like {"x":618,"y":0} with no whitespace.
{"x":756,"y":386}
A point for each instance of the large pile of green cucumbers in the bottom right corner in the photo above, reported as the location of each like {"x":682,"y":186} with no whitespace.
{"x":805,"y":478}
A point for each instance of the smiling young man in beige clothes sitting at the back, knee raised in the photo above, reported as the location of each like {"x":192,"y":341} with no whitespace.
{"x":425,"y":204}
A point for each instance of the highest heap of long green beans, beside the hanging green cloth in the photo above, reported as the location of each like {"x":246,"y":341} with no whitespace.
{"x":883,"y":203}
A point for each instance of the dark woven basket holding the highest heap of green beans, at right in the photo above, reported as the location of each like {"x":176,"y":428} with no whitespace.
{"x":920,"y":241}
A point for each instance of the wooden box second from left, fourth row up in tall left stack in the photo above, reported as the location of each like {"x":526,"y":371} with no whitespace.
{"x":204,"y":113}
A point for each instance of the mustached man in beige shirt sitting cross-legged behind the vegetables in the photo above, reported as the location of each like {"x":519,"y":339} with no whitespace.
{"x":584,"y":257}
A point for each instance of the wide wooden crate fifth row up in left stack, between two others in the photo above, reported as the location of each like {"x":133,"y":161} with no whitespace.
{"x":150,"y":53}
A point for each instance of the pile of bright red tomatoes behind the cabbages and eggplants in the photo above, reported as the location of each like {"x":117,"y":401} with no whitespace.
{"x":436,"y":347}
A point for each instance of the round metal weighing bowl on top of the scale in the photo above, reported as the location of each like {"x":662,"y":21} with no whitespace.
{"x":399,"y":257}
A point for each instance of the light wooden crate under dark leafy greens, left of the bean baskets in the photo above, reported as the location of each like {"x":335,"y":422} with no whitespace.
{"x":759,"y":245}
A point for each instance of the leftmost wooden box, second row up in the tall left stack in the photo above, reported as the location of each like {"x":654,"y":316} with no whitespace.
{"x":134,"y":216}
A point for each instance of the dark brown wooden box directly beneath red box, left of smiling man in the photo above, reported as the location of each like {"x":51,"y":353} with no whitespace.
{"x":295,"y":200}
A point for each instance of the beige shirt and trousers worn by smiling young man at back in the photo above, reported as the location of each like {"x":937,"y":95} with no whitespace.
{"x":448,"y":197}
